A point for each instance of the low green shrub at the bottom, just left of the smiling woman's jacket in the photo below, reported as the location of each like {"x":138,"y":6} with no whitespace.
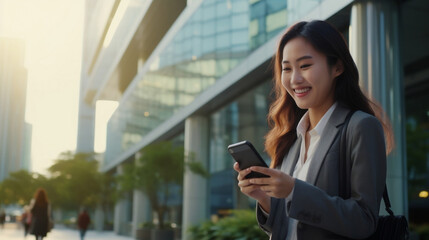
{"x":240,"y":225}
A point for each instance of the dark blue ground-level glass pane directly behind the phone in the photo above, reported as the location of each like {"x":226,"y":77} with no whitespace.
{"x":243,"y":119}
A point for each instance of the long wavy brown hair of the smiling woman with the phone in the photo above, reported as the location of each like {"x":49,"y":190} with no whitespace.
{"x":284,"y":114}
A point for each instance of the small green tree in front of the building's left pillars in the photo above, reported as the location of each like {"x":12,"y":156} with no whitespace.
{"x":160,"y":166}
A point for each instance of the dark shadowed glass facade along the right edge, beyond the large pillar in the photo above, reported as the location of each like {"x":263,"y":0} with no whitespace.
{"x":415,"y":33}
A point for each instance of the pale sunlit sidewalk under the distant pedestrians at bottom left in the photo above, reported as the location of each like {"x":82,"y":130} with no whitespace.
{"x":12,"y":232}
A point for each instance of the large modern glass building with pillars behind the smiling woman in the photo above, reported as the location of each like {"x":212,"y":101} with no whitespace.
{"x":198,"y":72}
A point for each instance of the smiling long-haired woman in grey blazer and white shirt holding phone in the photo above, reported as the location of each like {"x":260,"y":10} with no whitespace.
{"x":316,"y":86}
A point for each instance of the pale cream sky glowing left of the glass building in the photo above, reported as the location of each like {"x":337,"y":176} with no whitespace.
{"x":53,"y":32}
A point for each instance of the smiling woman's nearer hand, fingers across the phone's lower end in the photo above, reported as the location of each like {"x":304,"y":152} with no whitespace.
{"x":278,"y":185}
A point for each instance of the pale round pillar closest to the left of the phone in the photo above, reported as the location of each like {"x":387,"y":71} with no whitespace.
{"x":195,"y":199}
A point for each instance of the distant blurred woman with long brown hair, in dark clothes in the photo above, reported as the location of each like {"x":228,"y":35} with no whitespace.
{"x":40,"y":212}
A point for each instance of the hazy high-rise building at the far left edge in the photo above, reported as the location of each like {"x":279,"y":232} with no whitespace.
{"x":13,"y":89}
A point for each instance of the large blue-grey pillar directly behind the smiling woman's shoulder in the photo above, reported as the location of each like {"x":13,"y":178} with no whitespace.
{"x":374,"y":45}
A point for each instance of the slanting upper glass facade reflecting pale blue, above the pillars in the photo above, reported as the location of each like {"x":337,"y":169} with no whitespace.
{"x":217,"y":37}
